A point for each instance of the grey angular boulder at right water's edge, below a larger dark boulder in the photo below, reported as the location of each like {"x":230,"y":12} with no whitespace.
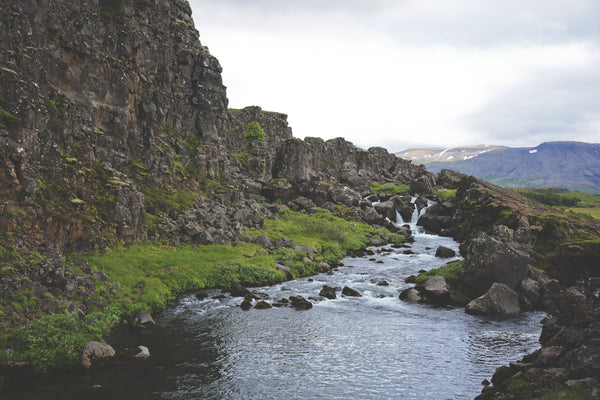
{"x":498,"y":300}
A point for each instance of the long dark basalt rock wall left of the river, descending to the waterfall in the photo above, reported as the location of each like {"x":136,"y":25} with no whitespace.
{"x":114,"y":127}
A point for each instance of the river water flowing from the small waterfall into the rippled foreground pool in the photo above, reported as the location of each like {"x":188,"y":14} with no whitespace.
{"x":369,"y":347}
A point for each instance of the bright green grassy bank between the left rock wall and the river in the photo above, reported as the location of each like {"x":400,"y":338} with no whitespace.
{"x":146,"y":275}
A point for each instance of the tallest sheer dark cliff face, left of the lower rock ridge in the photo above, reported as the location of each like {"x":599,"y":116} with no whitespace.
{"x":95,"y":89}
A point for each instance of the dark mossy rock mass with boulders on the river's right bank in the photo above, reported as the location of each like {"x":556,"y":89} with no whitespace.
{"x":550,"y":261}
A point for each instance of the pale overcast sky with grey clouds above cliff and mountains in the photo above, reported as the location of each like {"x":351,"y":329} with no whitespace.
{"x":412,"y":73}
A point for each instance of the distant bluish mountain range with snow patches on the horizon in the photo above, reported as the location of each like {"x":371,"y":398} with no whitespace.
{"x":572,"y":165}
